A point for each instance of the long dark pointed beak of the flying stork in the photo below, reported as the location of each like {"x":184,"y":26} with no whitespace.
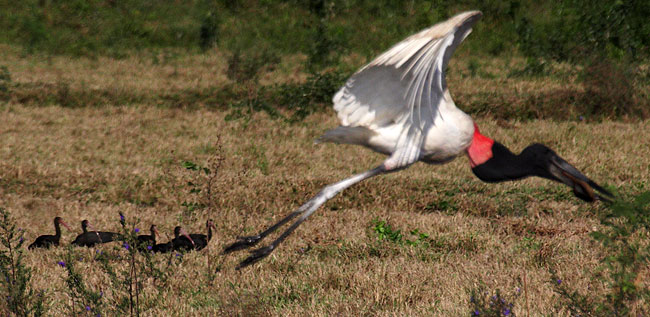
{"x":583,"y":187}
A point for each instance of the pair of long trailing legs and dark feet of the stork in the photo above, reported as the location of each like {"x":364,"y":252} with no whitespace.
{"x":304,"y":211}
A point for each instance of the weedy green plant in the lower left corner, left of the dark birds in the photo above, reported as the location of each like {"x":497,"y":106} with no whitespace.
{"x":20,"y":297}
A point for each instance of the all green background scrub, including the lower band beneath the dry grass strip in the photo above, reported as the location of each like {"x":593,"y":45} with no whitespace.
{"x":324,"y":41}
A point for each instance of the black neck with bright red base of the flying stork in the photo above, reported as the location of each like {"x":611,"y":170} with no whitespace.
{"x":493,"y":162}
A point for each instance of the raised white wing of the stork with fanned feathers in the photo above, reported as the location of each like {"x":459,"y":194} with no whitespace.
{"x":408,"y":79}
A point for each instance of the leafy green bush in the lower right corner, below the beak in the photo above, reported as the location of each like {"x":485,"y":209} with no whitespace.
{"x":624,"y":236}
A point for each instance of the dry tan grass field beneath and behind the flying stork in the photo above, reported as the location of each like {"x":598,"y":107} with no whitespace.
{"x":96,"y":161}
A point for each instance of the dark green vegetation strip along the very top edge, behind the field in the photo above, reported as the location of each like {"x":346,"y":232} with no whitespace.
{"x":568,"y":29}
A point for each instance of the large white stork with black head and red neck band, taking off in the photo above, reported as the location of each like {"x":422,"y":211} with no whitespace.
{"x":399,"y":105}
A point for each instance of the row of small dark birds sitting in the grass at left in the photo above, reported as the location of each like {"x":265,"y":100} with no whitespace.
{"x":182,"y":241}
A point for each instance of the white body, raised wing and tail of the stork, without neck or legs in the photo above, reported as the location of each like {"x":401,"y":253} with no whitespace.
{"x":399,"y":103}
